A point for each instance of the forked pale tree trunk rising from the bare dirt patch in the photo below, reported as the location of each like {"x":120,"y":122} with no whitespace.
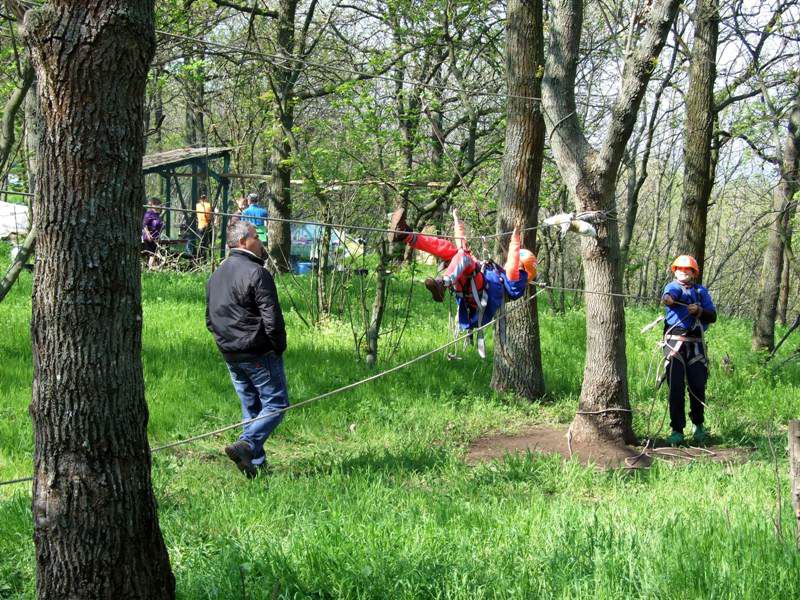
{"x":590,"y":176}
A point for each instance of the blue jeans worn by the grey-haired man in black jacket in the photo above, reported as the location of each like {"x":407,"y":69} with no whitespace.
{"x":261,"y":386}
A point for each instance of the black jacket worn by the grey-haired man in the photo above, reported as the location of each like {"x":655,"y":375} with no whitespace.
{"x":242,"y":308}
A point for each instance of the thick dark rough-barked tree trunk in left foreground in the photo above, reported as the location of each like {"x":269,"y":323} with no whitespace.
{"x":96,"y":529}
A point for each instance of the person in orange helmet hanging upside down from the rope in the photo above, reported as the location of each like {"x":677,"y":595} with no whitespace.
{"x":480,"y":287}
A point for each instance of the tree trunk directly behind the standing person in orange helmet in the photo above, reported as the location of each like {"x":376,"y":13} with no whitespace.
{"x":698,"y":176}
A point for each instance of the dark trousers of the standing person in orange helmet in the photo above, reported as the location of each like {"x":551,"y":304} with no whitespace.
{"x":687,"y":370}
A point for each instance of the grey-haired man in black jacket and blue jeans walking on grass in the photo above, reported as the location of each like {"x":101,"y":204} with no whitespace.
{"x":243,"y":313}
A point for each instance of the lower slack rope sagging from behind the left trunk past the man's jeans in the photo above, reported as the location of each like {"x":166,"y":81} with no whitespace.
{"x":328,"y":394}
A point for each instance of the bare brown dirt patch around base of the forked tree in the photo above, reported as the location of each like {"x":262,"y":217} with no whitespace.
{"x":552,"y":439}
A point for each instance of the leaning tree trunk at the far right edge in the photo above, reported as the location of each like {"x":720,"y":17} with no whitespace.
{"x":764,"y":324}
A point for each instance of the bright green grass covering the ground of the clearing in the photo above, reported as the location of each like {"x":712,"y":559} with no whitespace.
{"x":371,"y":499}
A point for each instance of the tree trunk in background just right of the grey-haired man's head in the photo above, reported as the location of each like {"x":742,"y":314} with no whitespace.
{"x":283,"y":80}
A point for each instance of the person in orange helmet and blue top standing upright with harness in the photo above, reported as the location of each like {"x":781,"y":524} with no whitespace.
{"x":689,"y":312}
